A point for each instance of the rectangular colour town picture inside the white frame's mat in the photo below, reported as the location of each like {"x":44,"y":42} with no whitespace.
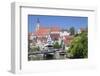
{"x":50,"y":38}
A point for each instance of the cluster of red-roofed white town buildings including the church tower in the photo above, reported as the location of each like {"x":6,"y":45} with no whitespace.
{"x":48,"y":35}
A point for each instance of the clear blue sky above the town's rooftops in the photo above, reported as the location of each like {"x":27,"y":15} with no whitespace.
{"x":64,"y":22}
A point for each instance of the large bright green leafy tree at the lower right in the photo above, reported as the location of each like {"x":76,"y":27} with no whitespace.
{"x":79,"y":46}
